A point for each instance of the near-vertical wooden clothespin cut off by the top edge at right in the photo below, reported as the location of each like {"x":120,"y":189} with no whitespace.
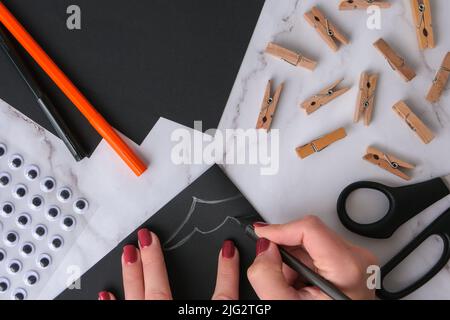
{"x":421,"y":10}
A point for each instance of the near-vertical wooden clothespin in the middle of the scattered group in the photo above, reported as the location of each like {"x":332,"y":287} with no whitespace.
{"x":366,"y":97}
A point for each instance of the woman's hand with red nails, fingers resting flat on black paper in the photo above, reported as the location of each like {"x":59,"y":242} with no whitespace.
{"x":145,"y":275}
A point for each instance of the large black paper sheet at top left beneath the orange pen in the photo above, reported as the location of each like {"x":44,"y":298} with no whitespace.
{"x":136,"y":60}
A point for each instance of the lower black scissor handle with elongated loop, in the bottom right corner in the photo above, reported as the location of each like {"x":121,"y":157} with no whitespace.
{"x":440,"y":227}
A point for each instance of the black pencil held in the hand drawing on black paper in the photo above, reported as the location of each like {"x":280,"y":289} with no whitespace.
{"x":309,"y":275}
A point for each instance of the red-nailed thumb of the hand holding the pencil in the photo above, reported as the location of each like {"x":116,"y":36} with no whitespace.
{"x":266,"y":274}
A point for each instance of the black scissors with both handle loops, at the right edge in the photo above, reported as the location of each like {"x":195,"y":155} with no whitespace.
{"x":404,"y":204}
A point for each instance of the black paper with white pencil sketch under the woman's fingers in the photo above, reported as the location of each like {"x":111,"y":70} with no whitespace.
{"x":192,"y":267}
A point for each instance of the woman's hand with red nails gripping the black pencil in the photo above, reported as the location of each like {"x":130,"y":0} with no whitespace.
{"x":318,"y":247}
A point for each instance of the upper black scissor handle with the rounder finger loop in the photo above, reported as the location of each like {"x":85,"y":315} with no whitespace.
{"x":404,"y":204}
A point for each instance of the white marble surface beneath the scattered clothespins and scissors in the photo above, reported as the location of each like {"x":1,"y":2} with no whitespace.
{"x":313,"y":185}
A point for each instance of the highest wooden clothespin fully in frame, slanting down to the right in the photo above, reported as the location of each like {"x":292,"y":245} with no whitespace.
{"x":327,"y":30}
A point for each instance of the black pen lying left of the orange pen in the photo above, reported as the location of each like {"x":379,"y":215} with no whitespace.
{"x":62,"y":129}
